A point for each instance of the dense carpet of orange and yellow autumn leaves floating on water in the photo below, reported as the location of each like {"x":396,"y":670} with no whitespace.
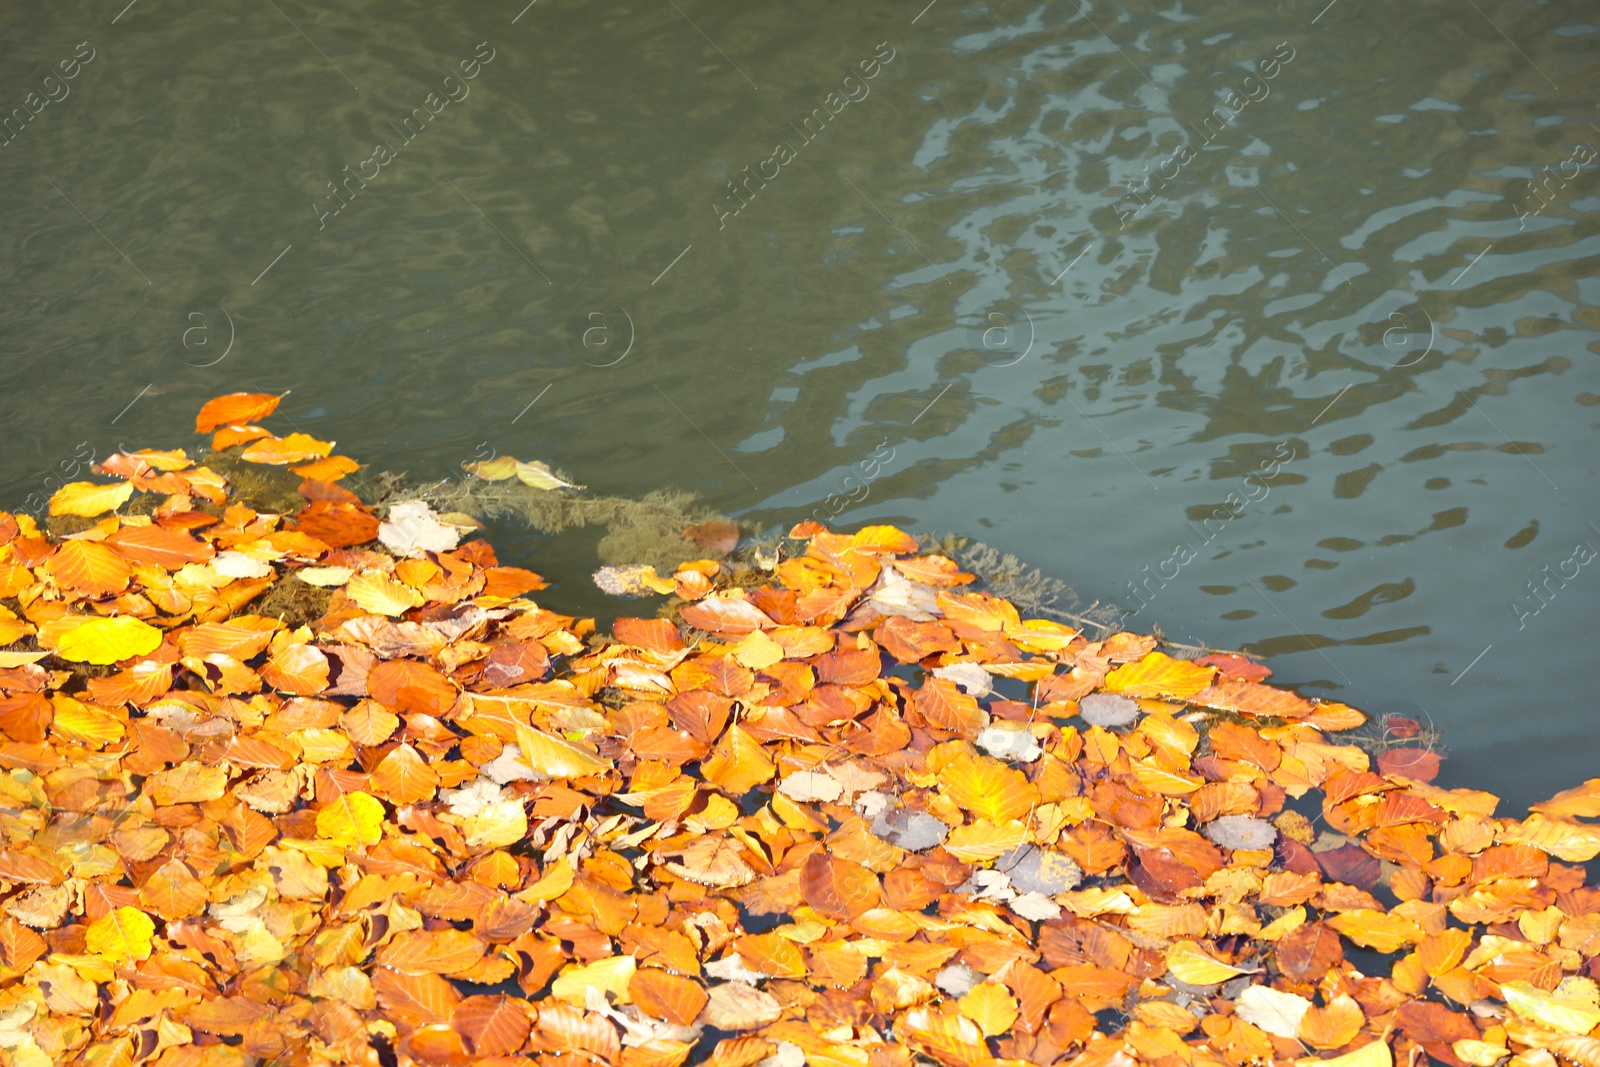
{"x":442,"y":825}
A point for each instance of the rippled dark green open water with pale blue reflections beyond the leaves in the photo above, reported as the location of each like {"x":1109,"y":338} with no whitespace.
{"x":1063,"y":278}
